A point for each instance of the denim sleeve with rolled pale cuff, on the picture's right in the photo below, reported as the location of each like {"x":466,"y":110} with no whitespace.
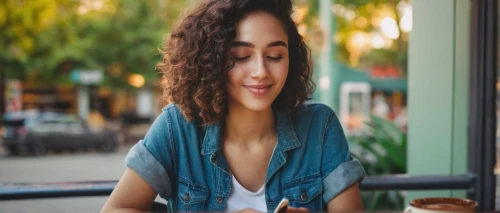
{"x":338,"y":168}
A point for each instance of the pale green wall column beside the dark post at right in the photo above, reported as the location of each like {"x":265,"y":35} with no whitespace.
{"x":438,"y":90}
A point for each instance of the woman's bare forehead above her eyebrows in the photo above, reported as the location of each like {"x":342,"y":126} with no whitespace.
{"x":260,"y":28}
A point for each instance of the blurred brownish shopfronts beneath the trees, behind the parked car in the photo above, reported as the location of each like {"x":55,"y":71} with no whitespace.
{"x":86,"y":96}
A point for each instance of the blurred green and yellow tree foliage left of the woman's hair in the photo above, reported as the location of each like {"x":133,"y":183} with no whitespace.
{"x":44,"y":40}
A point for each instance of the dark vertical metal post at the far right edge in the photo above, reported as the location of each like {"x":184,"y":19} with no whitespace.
{"x":482,"y":108}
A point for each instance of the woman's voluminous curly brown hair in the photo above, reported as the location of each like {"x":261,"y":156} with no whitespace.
{"x":195,"y":58}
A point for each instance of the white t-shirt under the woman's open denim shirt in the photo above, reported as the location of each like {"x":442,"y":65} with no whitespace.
{"x":241,"y":198}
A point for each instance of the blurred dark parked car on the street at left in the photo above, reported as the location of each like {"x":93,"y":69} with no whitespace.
{"x":39,"y":132}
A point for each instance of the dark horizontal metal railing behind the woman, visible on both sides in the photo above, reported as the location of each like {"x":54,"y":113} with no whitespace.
{"x":17,"y":191}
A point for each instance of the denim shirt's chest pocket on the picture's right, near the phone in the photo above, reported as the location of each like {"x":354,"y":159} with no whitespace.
{"x":305,"y":192}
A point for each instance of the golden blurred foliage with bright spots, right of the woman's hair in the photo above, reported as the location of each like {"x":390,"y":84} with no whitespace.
{"x":356,"y":22}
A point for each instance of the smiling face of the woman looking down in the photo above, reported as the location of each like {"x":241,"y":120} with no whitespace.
{"x":260,"y":52}
